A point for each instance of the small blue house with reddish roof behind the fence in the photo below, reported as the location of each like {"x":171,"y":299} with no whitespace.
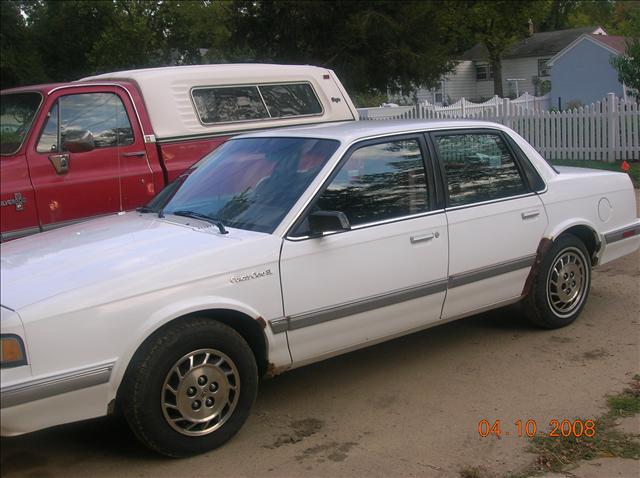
{"x":581,"y":73}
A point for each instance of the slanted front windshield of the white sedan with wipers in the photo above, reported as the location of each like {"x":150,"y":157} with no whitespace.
{"x":249,"y":183}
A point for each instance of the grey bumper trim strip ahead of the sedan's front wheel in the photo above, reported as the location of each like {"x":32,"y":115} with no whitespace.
{"x":57,"y":384}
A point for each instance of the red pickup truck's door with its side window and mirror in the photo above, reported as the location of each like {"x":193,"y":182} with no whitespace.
{"x":75,"y":161}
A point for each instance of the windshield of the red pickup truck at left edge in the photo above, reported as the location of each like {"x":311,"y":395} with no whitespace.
{"x":16,"y":116}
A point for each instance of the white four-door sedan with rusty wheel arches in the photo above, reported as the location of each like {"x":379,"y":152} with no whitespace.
{"x":286,"y":247}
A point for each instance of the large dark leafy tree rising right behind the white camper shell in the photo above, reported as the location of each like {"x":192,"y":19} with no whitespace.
{"x":371,"y":45}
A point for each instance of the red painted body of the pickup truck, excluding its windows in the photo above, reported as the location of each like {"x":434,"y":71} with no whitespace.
{"x":101,"y":181}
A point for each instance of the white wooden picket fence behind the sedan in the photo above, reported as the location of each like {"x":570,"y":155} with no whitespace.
{"x":607,"y":130}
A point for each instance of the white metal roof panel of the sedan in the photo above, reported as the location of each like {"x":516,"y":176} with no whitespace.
{"x":354,"y":130}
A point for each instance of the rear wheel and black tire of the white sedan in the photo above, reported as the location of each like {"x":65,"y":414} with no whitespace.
{"x":555,"y":300}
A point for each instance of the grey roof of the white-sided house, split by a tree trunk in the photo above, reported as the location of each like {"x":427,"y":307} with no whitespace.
{"x":538,"y":44}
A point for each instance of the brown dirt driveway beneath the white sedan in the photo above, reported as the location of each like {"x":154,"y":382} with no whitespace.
{"x":409,"y":407}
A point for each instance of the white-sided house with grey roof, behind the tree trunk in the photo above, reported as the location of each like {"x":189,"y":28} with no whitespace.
{"x":524,"y":68}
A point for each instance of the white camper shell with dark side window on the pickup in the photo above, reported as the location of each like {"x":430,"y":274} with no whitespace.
{"x":187,"y":101}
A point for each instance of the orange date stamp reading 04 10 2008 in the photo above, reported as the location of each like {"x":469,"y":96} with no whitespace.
{"x":529,"y":428}
